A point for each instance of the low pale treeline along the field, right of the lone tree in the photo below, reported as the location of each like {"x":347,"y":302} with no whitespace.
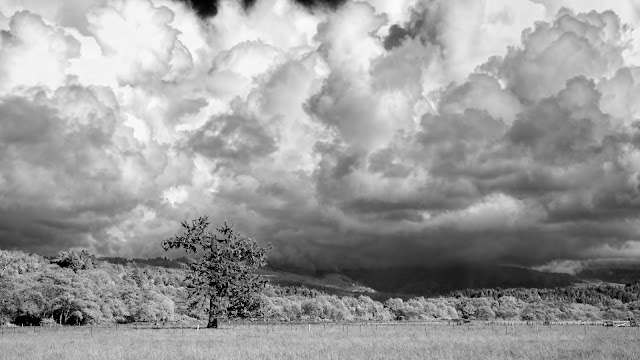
{"x":362,"y":308}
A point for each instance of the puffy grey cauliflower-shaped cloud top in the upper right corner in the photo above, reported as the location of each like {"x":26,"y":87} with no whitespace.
{"x":587,"y":45}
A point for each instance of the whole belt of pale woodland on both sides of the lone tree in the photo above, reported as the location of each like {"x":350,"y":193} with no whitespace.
{"x":77,"y":288}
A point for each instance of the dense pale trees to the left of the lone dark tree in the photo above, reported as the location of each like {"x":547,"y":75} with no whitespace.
{"x":34,"y":289}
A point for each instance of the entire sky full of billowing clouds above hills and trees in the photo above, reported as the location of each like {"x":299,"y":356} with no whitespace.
{"x":346,"y":133}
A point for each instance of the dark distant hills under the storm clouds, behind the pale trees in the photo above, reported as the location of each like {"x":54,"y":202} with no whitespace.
{"x":385,"y":283}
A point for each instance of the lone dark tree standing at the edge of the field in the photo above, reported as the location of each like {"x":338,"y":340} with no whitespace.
{"x":225,"y":274}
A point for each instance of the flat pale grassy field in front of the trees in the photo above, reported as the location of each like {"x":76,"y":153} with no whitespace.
{"x":401,"y":341}
